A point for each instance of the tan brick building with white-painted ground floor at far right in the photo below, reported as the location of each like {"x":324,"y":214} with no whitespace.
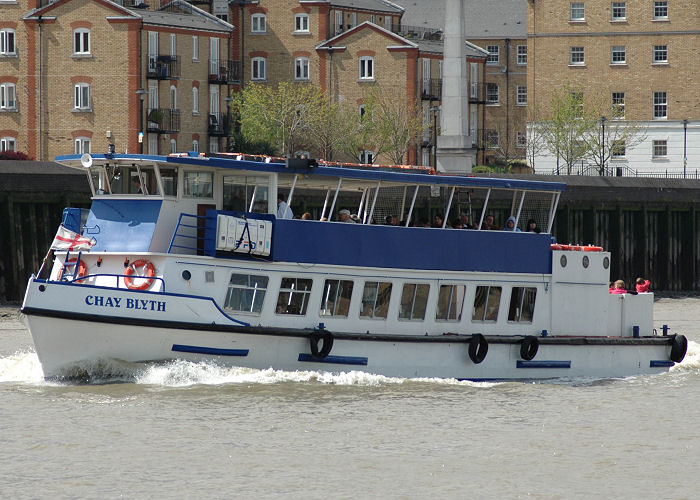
{"x":641,"y":57}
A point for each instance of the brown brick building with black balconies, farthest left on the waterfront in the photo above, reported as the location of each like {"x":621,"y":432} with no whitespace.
{"x":80,"y":75}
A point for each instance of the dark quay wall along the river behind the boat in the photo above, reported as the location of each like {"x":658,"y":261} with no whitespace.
{"x":651,"y":226}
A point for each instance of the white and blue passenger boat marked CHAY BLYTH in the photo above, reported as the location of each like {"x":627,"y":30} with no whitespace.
{"x":184,"y":257}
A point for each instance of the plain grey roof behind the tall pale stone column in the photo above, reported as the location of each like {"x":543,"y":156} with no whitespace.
{"x":485,"y":18}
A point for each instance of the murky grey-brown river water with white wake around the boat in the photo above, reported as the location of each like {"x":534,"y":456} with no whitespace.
{"x":184,"y":430}
